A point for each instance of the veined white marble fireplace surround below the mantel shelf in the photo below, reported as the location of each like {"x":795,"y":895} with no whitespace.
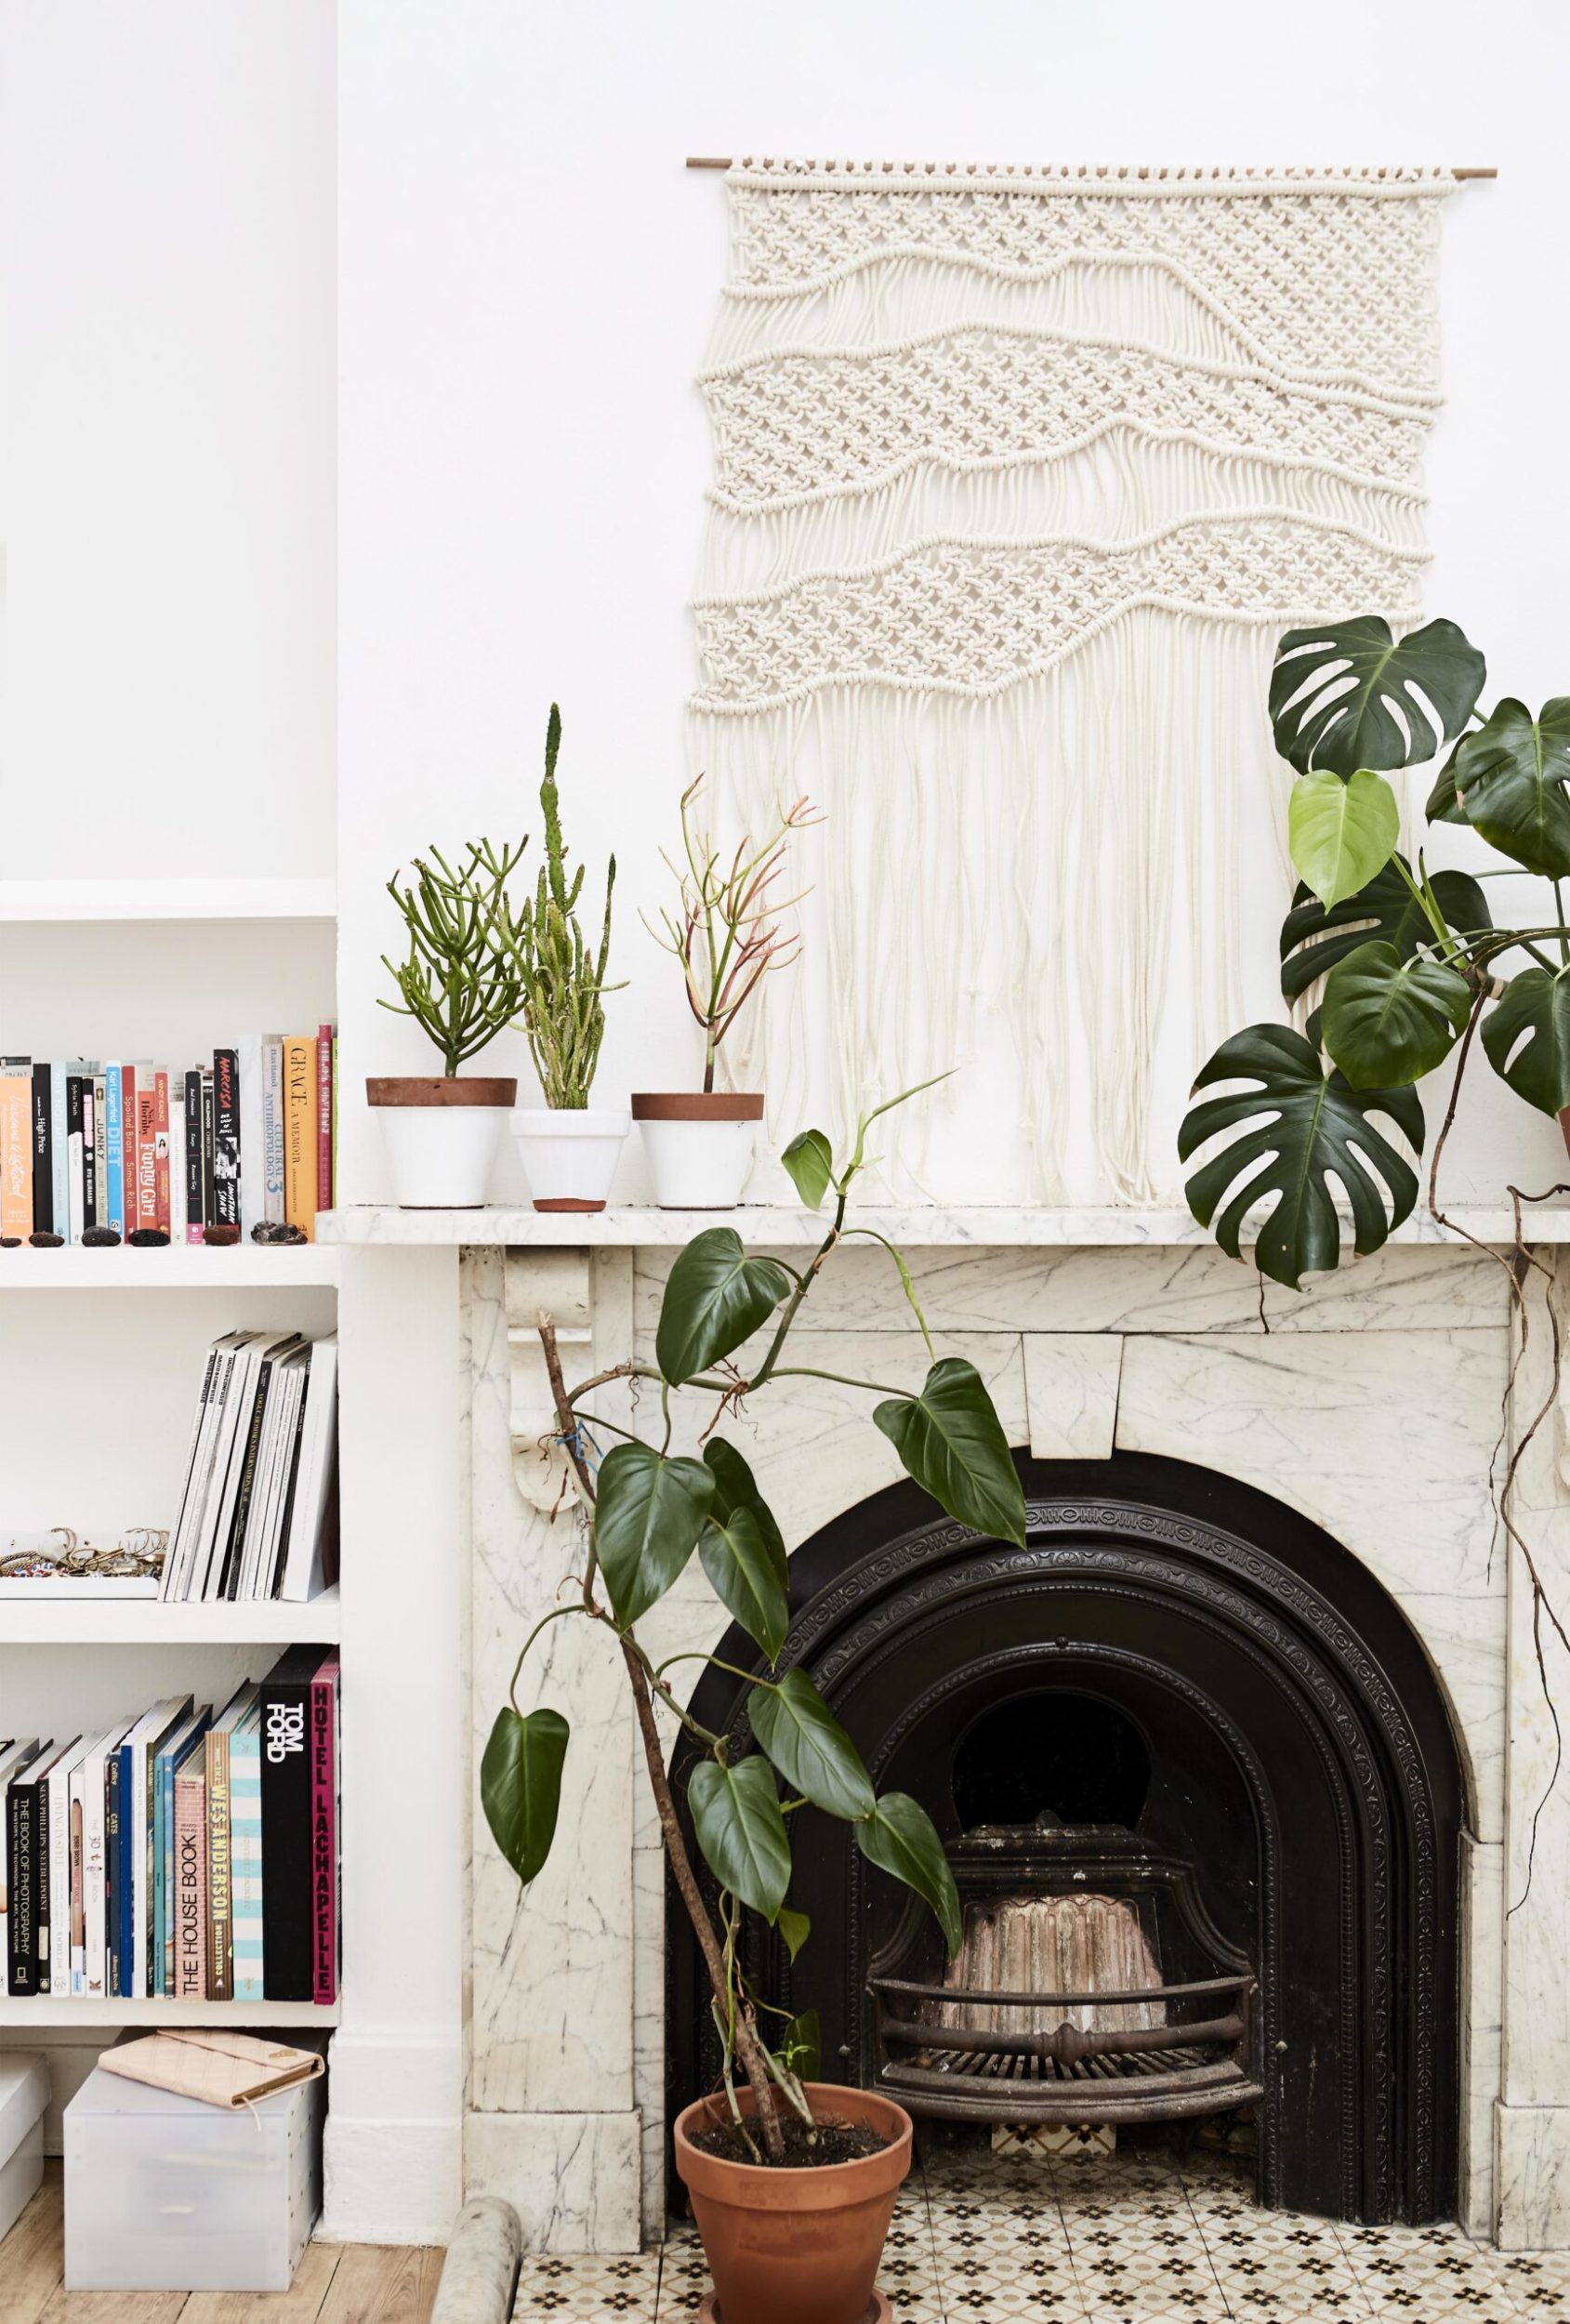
{"x":1374,"y":1405}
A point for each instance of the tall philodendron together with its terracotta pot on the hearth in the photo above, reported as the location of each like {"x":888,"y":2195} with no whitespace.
{"x":793,"y":2181}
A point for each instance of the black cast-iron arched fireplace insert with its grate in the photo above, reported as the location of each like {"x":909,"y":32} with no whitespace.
{"x":1183,"y":1749}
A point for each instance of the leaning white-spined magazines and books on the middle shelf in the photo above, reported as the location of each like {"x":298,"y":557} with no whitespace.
{"x":259,"y":1505}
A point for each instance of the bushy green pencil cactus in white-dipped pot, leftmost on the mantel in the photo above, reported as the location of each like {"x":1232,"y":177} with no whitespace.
{"x":442,"y":1131}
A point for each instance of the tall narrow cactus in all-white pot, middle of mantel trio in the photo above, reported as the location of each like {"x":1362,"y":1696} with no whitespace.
{"x":568,"y":1147}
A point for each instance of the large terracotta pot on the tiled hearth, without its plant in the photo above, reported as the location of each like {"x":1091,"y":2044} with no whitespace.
{"x":795,"y":2246}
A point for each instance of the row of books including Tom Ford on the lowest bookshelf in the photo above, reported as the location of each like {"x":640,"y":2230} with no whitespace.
{"x":182,"y":1856}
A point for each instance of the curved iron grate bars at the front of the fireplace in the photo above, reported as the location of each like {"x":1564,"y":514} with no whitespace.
{"x":1181,"y":2067}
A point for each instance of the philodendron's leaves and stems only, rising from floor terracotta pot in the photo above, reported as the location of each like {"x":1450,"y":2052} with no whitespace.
{"x":649,"y":1512}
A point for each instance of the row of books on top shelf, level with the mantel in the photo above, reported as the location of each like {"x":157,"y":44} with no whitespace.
{"x":154,"y":1154}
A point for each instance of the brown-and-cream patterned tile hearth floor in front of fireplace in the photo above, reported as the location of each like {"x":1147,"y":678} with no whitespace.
{"x":1093,"y":2241}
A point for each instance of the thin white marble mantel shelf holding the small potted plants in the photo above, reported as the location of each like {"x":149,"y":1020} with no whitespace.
{"x":921,"y":1226}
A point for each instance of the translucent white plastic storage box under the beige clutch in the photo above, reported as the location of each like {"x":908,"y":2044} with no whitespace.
{"x":168,"y":2195}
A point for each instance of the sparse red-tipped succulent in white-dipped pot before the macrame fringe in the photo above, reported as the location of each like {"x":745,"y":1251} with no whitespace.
{"x":728,"y":938}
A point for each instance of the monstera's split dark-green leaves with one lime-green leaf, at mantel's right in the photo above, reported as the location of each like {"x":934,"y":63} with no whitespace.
{"x":1411,"y":959}
